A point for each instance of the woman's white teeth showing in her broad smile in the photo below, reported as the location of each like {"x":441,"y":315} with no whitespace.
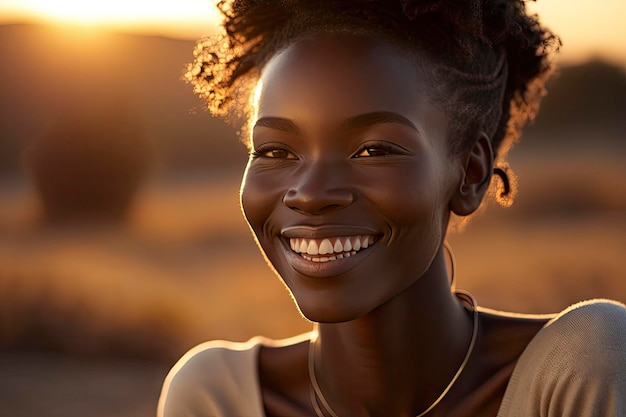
{"x":331,"y":248}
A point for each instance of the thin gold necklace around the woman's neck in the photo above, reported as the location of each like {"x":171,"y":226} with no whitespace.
{"x":317,"y":396}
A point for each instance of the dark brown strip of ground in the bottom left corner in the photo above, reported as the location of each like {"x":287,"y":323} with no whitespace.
{"x":53,"y":385}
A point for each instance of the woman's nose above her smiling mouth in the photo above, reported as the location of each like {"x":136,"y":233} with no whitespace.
{"x":319,"y":189}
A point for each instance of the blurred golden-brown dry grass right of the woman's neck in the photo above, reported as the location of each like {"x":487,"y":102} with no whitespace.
{"x":562,"y":241}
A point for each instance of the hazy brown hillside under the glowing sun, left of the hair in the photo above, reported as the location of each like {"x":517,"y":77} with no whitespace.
{"x":47,"y":73}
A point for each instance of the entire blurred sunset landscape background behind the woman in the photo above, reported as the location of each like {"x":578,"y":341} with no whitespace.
{"x":103,"y":287}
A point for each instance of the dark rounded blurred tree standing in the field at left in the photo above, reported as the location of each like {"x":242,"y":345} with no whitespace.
{"x":89,"y":166}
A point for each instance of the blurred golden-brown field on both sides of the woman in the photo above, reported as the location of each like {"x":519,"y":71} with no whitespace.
{"x":185,"y":269}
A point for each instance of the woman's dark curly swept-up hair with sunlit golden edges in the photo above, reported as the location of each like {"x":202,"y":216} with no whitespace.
{"x":491,"y":58}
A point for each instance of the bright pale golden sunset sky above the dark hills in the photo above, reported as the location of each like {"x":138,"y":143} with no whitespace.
{"x":588,"y":27}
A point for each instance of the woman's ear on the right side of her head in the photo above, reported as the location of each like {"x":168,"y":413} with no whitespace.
{"x":475,"y":179}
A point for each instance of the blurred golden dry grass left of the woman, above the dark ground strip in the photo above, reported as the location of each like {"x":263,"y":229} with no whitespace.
{"x":151,"y":290}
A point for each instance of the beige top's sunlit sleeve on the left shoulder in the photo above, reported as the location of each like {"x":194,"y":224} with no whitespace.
{"x":214,"y":379}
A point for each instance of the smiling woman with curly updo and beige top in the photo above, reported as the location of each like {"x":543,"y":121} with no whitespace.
{"x":371,"y":123}
